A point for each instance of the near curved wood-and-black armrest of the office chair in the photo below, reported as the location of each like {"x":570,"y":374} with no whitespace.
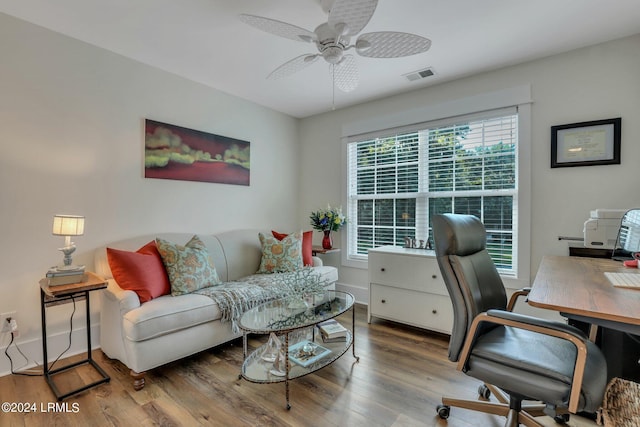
{"x":541,"y":326}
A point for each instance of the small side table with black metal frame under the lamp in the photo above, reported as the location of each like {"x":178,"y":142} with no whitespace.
{"x":54,"y":295}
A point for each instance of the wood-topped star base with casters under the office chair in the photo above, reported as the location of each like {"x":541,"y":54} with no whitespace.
{"x":504,"y":407}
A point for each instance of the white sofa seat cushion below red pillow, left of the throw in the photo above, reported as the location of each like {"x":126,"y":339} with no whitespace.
{"x":167,"y":314}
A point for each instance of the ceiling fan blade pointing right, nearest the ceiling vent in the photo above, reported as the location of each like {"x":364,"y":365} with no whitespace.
{"x":390,"y":44}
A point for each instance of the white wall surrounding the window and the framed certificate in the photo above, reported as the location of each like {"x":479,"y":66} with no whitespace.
{"x":597,"y":82}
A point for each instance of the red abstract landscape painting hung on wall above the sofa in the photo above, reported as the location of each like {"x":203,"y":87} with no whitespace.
{"x":175,"y":152}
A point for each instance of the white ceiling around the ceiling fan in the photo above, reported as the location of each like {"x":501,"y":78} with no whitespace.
{"x":204,"y":41}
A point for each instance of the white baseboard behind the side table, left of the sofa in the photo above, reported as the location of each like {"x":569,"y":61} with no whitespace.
{"x":56,"y":344}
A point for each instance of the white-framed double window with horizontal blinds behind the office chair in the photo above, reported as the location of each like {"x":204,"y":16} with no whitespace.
{"x":373,"y":157}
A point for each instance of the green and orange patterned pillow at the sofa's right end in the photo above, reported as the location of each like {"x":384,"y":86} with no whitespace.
{"x":281,"y":256}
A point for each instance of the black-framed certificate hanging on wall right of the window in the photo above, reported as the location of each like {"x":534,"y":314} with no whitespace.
{"x":586,"y":143}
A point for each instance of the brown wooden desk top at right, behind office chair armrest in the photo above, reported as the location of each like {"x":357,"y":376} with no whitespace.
{"x":577,"y":288}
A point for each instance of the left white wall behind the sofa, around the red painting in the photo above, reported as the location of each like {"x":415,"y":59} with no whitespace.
{"x":71,"y":137}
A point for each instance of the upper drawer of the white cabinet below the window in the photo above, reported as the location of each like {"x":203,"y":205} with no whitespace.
{"x":418,"y":273}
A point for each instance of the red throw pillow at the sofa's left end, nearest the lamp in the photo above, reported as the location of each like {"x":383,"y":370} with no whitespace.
{"x":141,"y":271}
